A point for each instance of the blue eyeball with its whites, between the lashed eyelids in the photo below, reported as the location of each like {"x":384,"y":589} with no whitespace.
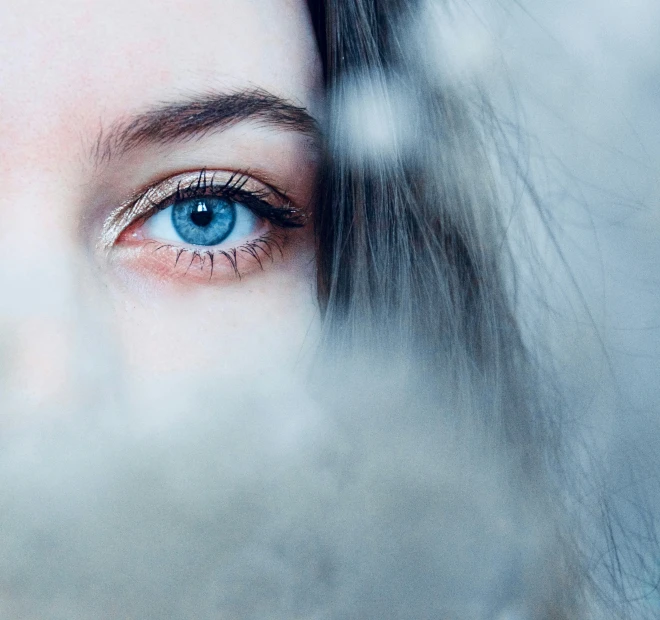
{"x":202,"y":221}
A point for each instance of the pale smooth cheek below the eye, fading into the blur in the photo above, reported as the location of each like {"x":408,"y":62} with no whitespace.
{"x":238,"y":331}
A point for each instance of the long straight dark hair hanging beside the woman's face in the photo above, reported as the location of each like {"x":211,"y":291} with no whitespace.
{"x":413,"y":255}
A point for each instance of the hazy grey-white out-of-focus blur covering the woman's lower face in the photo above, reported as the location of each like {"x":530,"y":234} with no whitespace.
{"x":280,"y":503}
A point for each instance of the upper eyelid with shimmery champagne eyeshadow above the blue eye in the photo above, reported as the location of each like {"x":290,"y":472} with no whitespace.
{"x":143,"y":202}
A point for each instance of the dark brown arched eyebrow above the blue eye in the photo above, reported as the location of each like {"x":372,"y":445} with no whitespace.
{"x":199,"y":115}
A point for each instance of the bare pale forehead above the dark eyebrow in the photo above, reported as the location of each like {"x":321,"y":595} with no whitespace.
{"x":73,"y":63}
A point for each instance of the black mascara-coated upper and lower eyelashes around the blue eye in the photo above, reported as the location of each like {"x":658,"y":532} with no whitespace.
{"x":284,"y":216}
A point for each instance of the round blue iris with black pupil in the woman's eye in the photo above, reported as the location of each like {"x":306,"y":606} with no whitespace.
{"x":203,"y":221}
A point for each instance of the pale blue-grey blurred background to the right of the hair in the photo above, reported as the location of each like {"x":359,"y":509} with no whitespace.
{"x":582,"y":79}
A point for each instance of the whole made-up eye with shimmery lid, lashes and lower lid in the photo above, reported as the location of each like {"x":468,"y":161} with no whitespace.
{"x":202,"y":222}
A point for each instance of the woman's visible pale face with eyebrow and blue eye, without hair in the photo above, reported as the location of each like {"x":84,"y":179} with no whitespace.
{"x":157,"y":163}
